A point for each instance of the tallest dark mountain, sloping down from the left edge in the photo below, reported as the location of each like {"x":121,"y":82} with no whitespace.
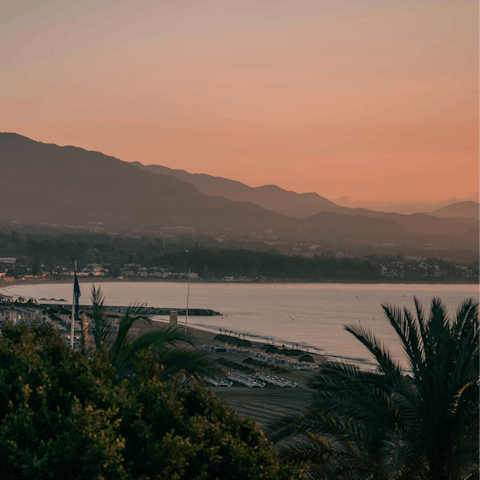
{"x":69,"y":185}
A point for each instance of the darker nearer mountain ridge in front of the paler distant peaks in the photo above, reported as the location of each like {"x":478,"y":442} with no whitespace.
{"x":46,"y":183}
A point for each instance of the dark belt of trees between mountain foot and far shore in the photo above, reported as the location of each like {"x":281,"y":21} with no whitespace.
{"x":48,"y":253}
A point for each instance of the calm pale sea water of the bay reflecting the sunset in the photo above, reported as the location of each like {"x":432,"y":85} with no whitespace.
{"x":310,"y":315}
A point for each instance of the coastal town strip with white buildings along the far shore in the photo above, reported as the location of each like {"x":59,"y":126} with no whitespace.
{"x":321,"y":268}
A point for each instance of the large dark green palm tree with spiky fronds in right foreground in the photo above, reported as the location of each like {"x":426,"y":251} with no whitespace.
{"x":421,"y":423}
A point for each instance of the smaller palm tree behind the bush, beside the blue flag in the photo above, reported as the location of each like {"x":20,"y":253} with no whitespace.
{"x":122,"y":347}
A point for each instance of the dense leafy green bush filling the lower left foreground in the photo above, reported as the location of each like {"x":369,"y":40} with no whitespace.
{"x":66,"y":416}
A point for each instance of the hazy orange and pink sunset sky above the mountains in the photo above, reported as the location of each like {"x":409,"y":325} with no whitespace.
{"x":373,"y":99}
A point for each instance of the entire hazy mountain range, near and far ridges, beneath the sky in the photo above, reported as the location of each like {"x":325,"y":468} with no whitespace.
{"x":46,"y":183}
